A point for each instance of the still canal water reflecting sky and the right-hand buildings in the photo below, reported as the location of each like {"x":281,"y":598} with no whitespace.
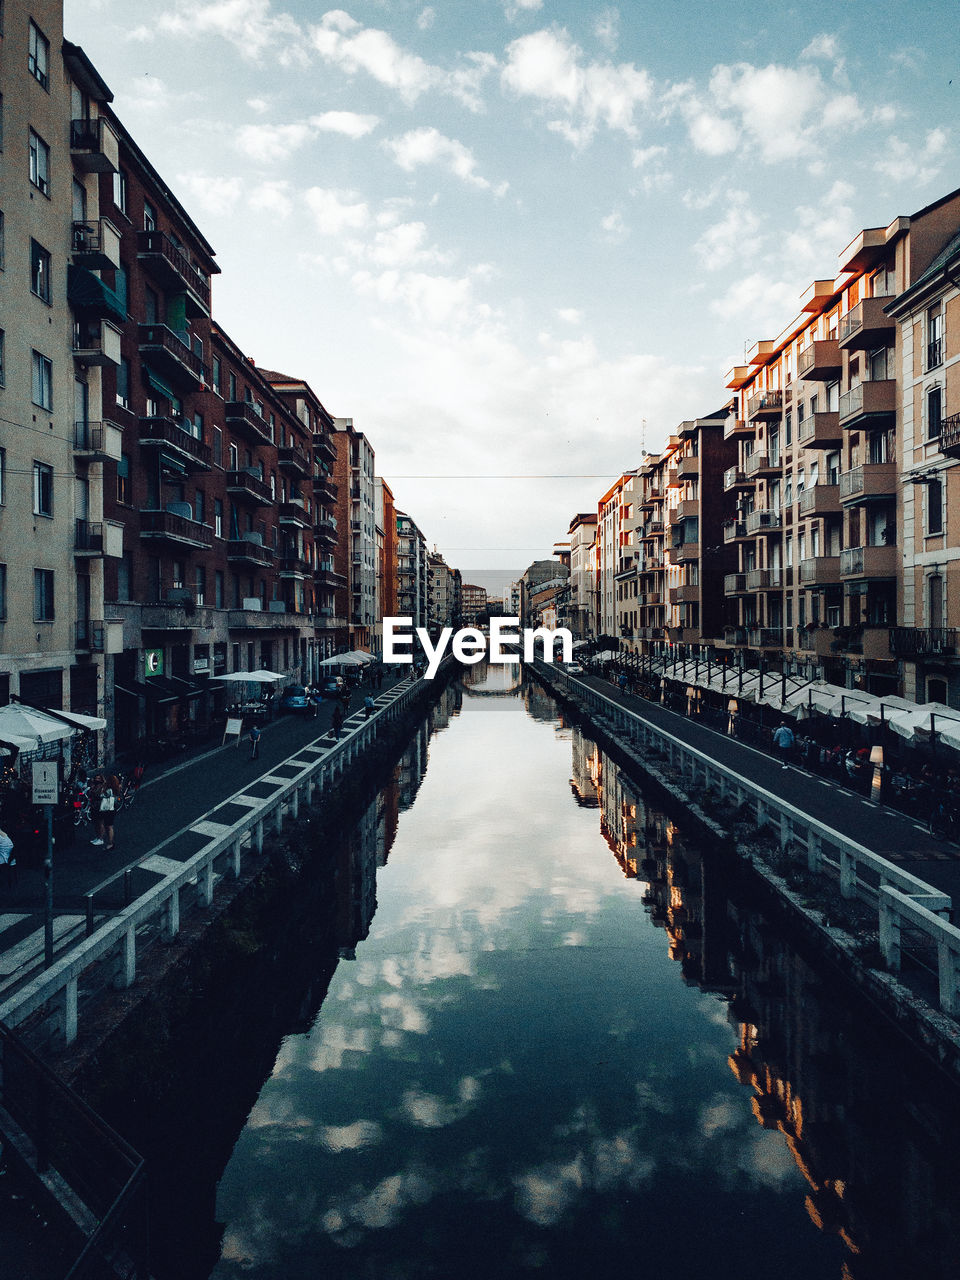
{"x":552,"y":1036}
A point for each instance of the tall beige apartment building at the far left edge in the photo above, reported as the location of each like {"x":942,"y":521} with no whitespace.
{"x":53,"y":540}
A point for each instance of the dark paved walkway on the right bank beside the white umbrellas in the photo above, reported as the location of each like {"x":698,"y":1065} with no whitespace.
{"x":888,"y":833}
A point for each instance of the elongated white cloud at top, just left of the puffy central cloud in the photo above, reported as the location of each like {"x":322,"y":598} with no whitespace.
{"x":345,"y":43}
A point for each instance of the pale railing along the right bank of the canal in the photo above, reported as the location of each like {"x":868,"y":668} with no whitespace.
{"x":902,"y":899}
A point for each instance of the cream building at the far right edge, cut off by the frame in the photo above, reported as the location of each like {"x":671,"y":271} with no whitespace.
{"x":929,"y":614}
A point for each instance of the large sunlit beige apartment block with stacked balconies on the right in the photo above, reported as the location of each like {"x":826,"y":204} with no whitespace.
{"x":815,"y":492}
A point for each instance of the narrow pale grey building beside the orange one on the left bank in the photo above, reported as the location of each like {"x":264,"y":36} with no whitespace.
{"x":355,"y":476}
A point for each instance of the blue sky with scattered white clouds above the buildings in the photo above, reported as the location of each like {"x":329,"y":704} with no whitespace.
{"x":520,"y":241}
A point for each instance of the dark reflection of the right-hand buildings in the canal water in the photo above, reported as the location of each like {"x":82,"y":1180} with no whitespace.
{"x":872,"y":1126}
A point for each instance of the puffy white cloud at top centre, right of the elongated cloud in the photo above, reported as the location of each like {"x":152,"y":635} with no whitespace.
{"x":550,"y":67}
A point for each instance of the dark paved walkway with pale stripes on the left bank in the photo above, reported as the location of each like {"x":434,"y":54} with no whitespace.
{"x":153,"y":838}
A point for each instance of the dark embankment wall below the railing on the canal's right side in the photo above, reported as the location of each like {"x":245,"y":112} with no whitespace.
{"x":826,"y":930}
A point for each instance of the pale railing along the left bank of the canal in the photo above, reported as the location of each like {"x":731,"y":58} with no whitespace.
{"x":60,"y":984}
